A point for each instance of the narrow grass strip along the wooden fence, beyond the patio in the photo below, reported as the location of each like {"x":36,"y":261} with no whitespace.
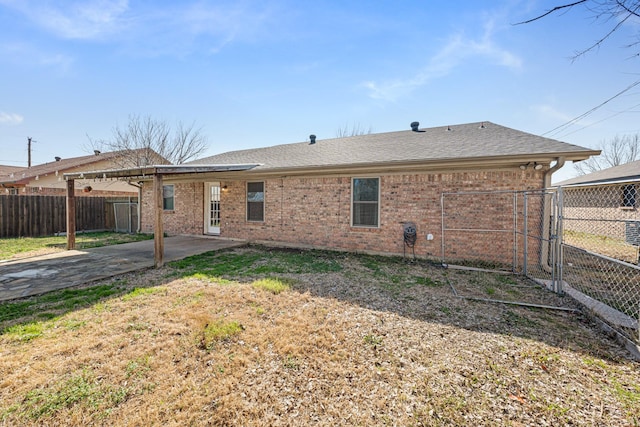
{"x":31,"y":246}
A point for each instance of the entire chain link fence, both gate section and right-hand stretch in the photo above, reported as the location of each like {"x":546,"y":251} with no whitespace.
{"x":582,"y":241}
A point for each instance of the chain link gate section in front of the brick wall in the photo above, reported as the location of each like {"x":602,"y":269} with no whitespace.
{"x":512,"y":231}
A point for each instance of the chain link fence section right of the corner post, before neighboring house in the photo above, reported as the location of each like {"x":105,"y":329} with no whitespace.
{"x":600,"y":241}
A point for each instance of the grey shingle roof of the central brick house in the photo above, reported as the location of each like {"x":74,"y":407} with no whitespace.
{"x":466,"y":141}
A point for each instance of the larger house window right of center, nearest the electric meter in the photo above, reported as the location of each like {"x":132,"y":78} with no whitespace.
{"x":365,"y":202}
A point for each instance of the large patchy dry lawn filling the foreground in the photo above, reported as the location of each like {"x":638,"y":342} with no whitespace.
{"x":253,"y":336}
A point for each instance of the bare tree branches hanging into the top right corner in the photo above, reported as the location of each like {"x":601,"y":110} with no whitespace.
{"x":615,"y":13}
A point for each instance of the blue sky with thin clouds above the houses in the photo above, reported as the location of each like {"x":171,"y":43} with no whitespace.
{"x":258,"y":73}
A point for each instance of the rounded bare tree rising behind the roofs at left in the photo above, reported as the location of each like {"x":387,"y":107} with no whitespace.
{"x":144,"y":138}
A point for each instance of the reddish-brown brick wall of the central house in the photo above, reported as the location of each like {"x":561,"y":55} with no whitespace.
{"x":317,"y":211}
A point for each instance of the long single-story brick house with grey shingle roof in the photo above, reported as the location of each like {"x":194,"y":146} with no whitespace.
{"x":352,"y":193}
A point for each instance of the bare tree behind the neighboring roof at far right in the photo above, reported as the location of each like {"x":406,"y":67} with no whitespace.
{"x":618,"y":151}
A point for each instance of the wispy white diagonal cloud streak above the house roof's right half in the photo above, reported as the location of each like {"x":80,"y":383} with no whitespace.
{"x":458,"y":49}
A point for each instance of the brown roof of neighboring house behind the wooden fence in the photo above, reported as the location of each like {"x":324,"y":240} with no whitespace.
{"x":25,"y":175}
